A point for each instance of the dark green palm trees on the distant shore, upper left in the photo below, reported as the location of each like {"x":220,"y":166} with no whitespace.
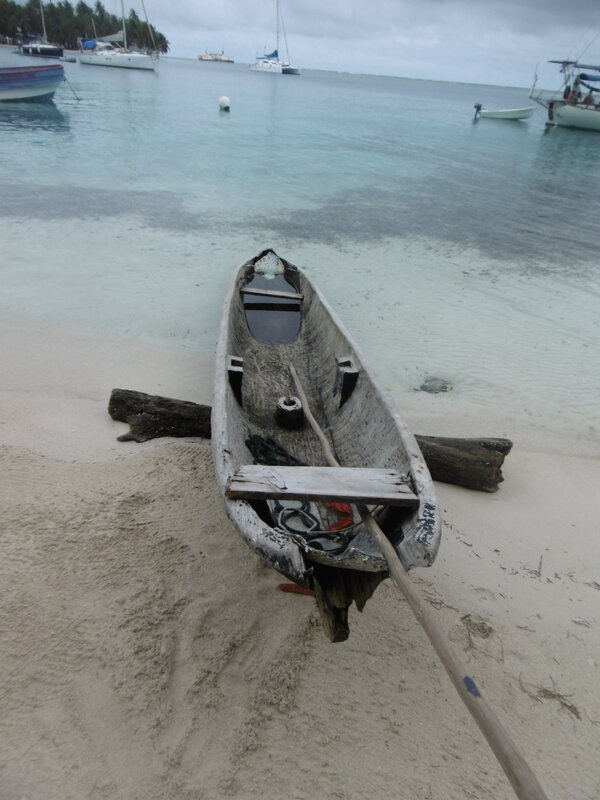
{"x":65,"y":24}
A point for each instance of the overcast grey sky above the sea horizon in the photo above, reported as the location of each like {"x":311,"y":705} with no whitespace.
{"x":472,"y":41}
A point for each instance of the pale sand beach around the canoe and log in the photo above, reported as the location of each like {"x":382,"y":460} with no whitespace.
{"x":146,"y":652}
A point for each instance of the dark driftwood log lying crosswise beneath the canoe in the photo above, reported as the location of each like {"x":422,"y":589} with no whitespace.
{"x":472,"y":463}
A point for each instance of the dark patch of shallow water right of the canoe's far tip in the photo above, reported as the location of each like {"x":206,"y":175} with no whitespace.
{"x":539,"y":237}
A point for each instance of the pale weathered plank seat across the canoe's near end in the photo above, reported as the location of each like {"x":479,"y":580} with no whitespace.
{"x":342,"y":484}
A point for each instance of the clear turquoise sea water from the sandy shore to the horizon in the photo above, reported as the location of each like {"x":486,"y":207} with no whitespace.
{"x":463,"y":251}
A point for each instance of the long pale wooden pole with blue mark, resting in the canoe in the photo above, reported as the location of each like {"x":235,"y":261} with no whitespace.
{"x":519,"y":773}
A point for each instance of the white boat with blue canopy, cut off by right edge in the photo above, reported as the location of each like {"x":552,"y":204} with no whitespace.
{"x":571,"y":107}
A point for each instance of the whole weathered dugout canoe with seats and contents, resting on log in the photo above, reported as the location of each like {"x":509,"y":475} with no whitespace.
{"x":289,"y":506}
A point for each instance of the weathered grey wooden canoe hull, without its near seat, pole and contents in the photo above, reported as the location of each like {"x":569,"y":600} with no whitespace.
{"x":362,"y":426}
